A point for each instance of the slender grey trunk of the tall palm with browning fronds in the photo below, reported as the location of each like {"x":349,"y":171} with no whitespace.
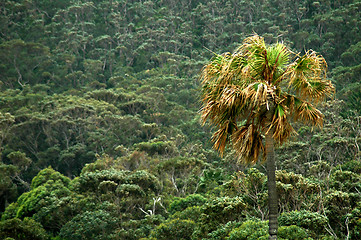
{"x":272,"y":190}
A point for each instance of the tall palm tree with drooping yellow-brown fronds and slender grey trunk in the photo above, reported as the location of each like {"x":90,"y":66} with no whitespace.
{"x":252,"y":95}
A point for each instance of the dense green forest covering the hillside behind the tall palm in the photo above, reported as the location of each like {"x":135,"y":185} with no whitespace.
{"x":100,"y":135}
